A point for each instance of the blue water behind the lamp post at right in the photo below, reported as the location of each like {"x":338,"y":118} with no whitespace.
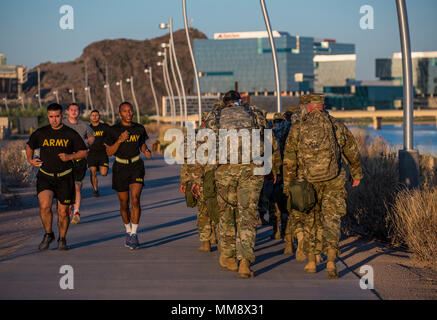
{"x":424,"y":136}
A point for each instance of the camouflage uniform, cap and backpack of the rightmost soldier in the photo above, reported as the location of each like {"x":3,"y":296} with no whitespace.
{"x":322,"y":223}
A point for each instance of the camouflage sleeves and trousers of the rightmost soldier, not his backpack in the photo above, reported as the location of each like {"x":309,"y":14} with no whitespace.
{"x":322,"y":224}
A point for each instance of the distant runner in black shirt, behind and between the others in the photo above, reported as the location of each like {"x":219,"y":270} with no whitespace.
{"x":97,"y":157}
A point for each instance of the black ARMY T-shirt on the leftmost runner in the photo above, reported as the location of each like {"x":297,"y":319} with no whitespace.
{"x":51,"y":143}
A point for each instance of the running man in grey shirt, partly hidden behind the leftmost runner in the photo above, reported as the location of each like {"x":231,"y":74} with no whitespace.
{"x":80,"y":166}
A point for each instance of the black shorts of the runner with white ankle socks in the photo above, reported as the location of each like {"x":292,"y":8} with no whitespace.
{"x":125,"y":174}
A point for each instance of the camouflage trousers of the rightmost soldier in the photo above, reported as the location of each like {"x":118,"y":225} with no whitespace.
{"x":322,"y":225}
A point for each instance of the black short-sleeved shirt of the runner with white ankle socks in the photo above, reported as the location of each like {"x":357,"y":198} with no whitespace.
{"x":132,"y":146}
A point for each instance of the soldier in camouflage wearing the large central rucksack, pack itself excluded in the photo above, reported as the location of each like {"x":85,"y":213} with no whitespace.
{"x":238,"y":192}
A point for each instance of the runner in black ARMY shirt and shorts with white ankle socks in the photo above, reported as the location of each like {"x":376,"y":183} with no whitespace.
{"x":126,"y":141}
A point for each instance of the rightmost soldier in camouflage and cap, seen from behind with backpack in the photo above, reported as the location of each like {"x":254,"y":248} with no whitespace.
{"x":303,"y":161}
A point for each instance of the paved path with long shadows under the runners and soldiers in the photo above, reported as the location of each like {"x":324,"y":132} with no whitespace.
{"x":167,"y":266}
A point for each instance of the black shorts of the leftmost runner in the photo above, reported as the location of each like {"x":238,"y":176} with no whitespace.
{"x":62,"y":187}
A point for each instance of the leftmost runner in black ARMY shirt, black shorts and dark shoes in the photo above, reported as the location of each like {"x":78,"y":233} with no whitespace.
{"x":58,"y":145}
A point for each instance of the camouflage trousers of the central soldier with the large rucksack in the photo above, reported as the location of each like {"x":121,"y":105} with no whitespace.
{"x":238,"y":191}
